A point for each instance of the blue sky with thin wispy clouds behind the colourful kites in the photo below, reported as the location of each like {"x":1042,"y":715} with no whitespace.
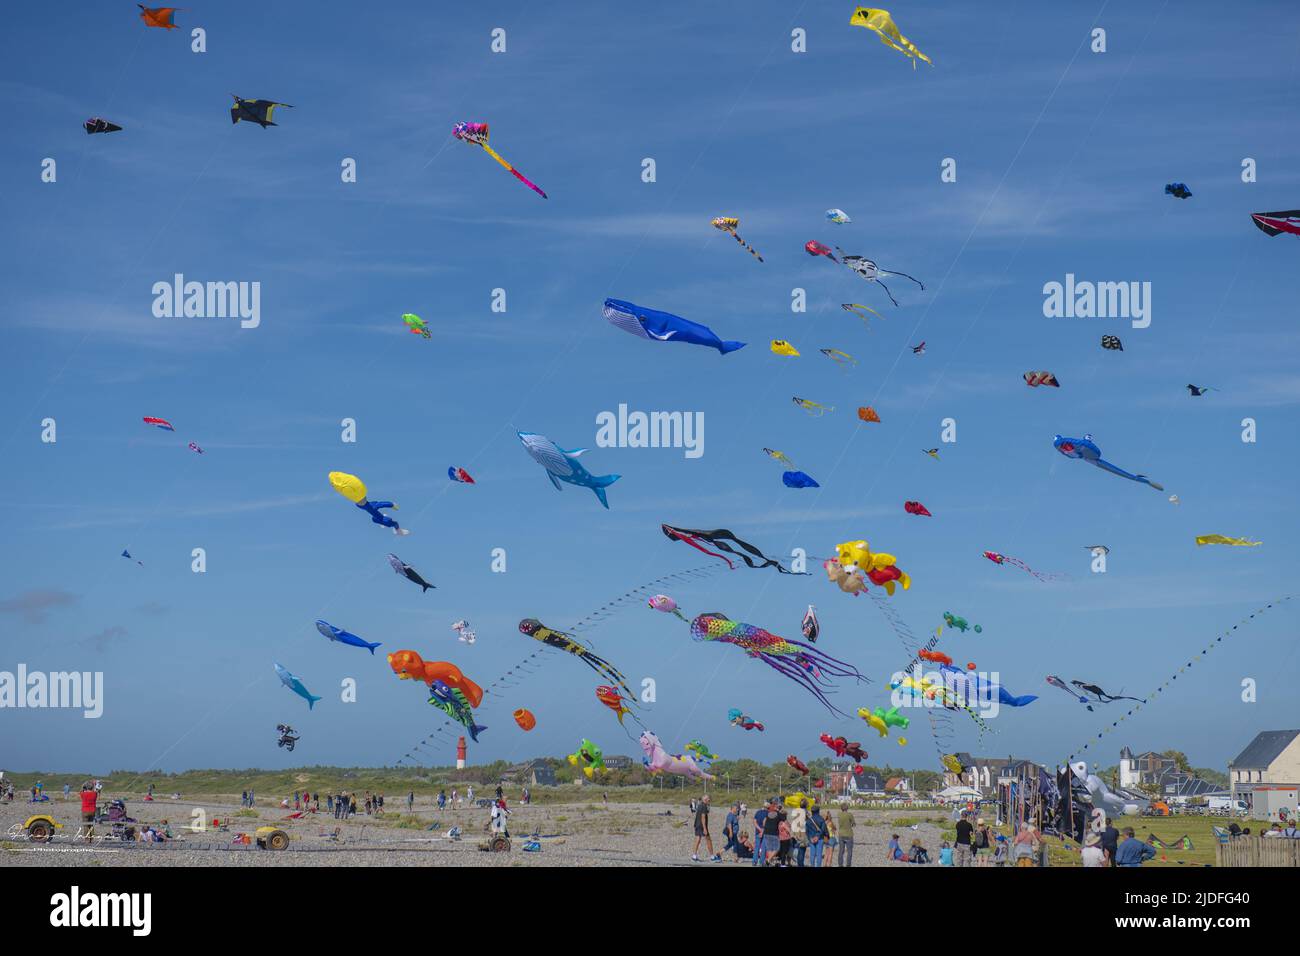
{"x":1063,"y":155}
